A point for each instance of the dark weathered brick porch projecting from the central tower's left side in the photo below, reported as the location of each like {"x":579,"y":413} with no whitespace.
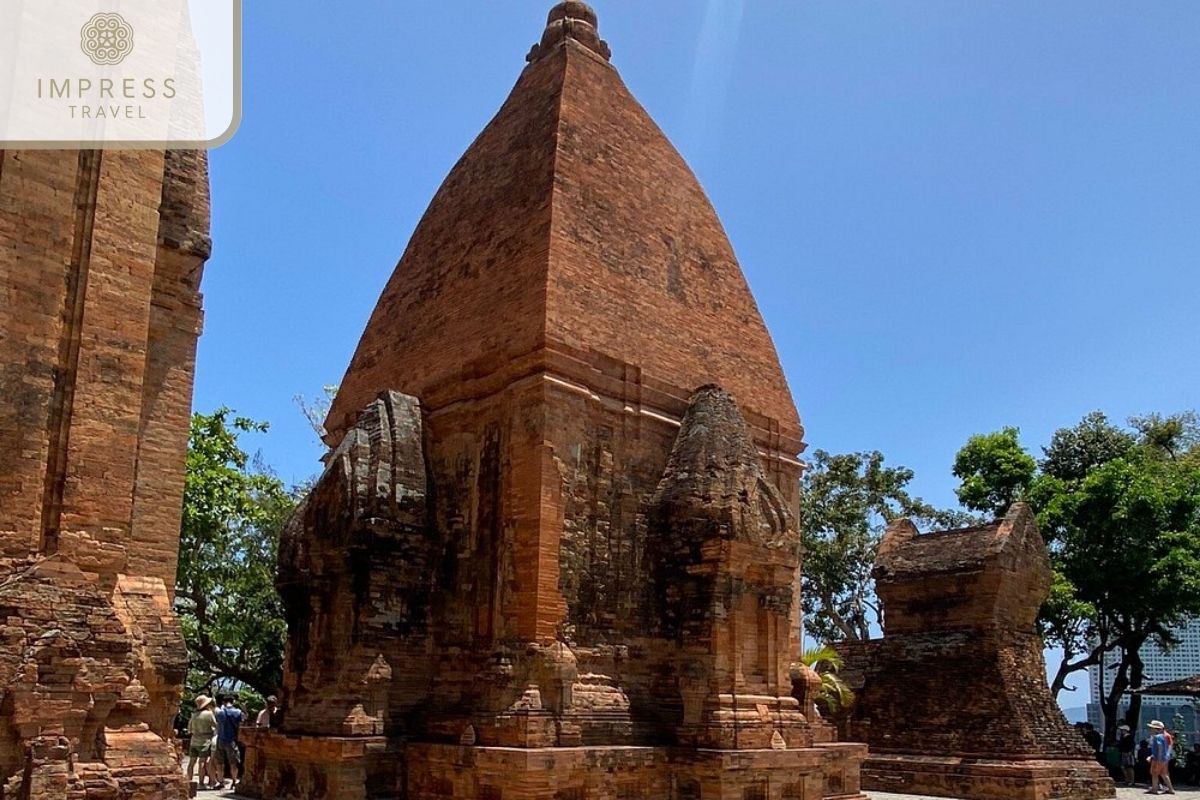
{"x":357,"y":579}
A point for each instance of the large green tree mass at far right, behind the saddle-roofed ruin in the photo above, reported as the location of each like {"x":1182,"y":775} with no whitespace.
{"x":1120,"y":510}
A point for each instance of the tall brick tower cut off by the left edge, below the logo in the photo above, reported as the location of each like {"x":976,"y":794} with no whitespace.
{"x":100,"y":267}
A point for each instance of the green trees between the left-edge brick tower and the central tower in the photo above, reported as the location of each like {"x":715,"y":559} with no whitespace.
{"x":235,"y":510}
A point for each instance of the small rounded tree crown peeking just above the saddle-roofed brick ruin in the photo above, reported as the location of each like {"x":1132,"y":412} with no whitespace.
{"x":995,"y":471}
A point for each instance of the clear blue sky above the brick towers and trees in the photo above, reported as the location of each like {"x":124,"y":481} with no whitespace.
{"x":956,"y":216}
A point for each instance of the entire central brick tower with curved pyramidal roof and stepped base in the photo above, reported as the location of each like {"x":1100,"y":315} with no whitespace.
{"x":542,"y":564}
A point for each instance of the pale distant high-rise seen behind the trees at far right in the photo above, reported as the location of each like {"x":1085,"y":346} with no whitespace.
{"x":1183,"y":661}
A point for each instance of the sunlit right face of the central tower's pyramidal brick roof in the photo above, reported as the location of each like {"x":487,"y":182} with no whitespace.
{"x":639,"y":256}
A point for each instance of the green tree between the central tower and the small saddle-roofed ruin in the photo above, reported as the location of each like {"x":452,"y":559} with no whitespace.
{"x":847,"y":503}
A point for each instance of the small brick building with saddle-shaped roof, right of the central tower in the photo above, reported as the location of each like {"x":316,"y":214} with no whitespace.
{"x":953,"y":700}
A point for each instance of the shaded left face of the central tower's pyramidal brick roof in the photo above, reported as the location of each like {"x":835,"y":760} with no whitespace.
{"x":478,"y":256}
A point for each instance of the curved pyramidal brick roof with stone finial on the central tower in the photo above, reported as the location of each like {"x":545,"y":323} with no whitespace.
{"x":571,"y":239}
